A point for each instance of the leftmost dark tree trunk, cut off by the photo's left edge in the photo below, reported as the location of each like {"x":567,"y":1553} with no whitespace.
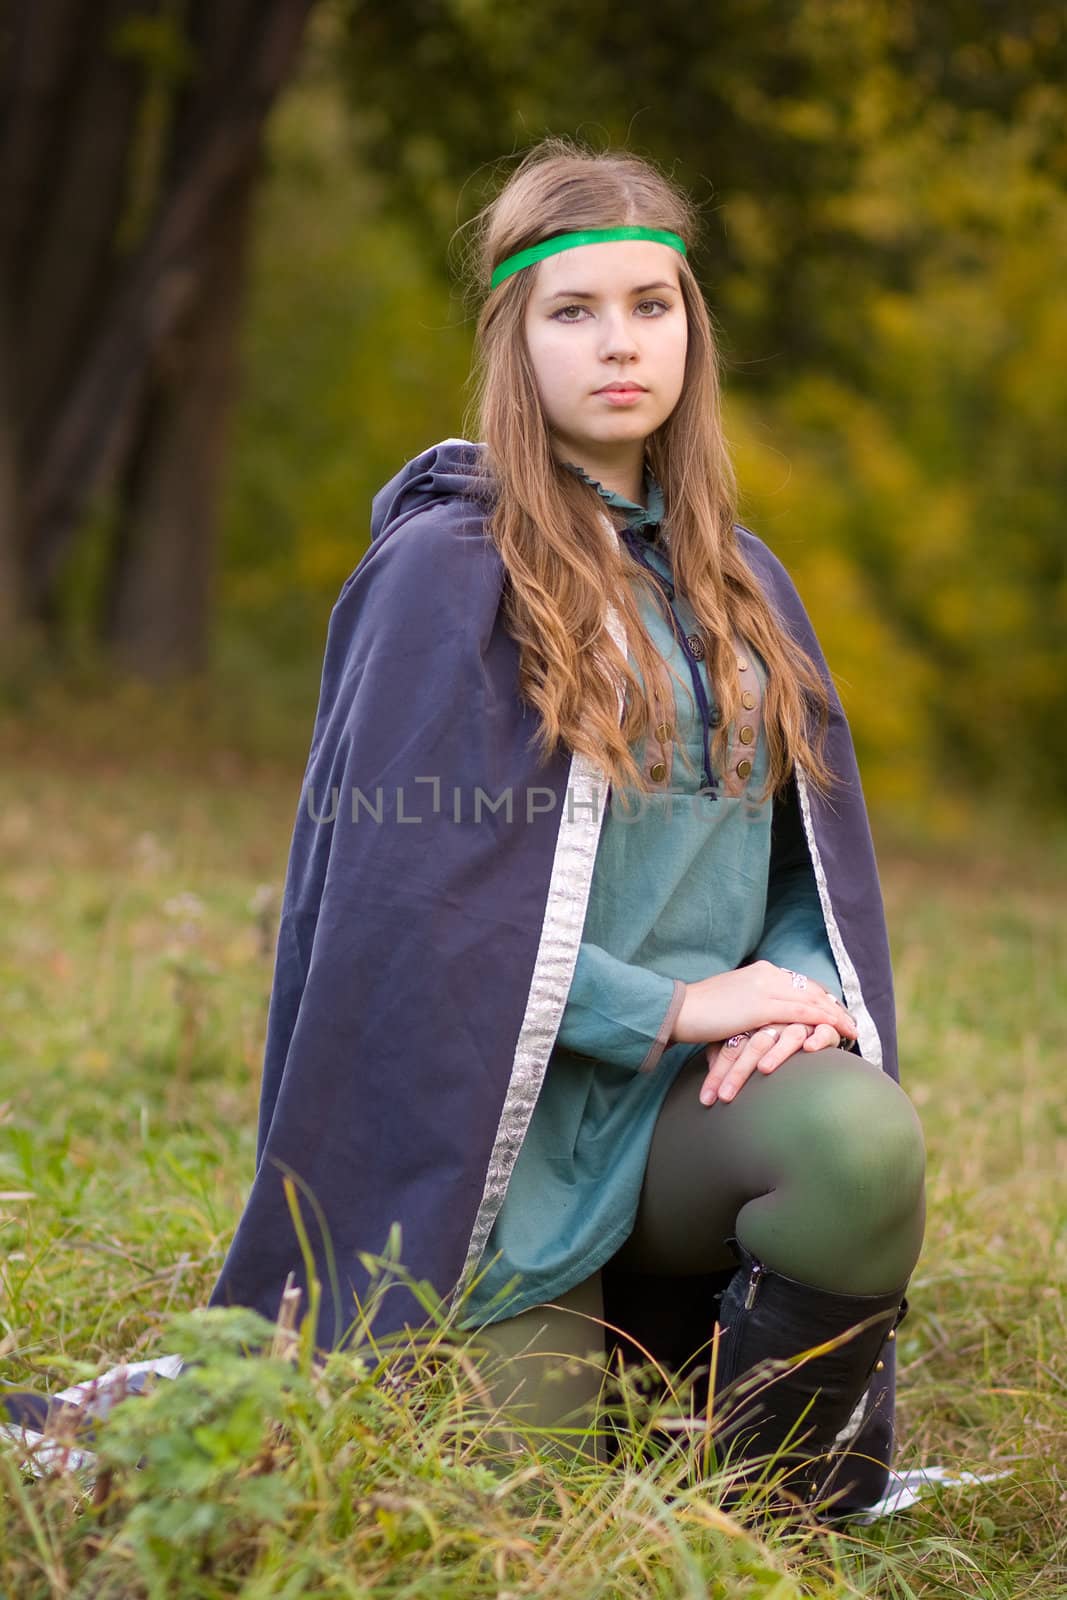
{"x":66,"y":124}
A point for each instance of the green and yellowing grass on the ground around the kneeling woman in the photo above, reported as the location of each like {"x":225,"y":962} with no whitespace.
{"x":138,"y":903}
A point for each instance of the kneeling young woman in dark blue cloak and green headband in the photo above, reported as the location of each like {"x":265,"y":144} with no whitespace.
{"x":583,"y":977}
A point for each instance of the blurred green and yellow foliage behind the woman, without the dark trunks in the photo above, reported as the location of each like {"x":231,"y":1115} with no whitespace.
{"x":885,"y":202}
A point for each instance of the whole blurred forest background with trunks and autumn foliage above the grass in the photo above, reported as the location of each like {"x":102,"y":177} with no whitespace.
{"x":885,"y":239}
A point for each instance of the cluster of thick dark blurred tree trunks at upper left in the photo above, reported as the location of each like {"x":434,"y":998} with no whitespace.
{"x":130,"y":137}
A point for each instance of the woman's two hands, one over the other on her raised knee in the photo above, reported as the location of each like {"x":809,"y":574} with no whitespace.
{"x":757,"y":1018}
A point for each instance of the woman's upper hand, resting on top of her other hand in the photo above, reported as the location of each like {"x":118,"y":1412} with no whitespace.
{"x":754,"y":998}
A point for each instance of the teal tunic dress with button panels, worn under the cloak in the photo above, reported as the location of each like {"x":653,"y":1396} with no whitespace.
{"x":684,"y":887}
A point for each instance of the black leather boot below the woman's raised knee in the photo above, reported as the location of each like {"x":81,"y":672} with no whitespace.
{"x":794,"y":1409}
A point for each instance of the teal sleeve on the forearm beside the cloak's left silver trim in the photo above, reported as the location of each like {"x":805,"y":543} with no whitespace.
{"x":617,"y":1012}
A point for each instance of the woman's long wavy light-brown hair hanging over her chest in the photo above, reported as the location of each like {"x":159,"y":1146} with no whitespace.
{"x":548,"y":522}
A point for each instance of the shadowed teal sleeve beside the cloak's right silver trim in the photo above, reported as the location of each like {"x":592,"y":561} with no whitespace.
{"x":794,"y":932}
